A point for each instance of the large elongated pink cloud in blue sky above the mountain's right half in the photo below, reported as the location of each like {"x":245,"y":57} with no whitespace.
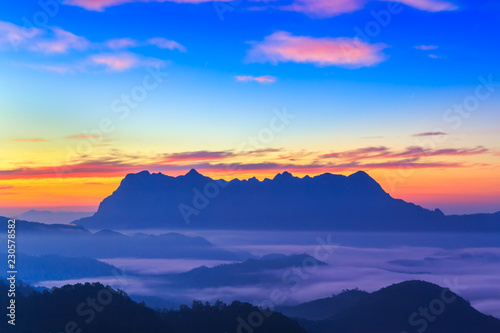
{"x":282,"y":46}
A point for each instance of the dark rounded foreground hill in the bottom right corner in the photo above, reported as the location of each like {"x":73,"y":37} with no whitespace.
{"x":412,"y":306}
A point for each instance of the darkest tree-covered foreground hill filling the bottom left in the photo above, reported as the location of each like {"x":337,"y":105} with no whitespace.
{"x":100,"y":309}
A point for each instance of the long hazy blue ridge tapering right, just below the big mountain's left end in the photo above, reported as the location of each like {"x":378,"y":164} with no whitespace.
{"x":75,"y":241}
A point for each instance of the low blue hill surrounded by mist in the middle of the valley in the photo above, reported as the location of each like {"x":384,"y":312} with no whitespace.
{"x":251,"y":272}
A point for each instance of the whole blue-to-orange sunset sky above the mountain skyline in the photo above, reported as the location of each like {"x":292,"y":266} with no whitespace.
{"x":406,"y":90}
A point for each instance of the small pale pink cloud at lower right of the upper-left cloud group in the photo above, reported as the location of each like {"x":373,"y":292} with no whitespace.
{"x":119,"y":62}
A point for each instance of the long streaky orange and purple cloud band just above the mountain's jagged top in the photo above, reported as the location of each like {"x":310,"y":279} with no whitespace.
{"x":226,"y":162}
